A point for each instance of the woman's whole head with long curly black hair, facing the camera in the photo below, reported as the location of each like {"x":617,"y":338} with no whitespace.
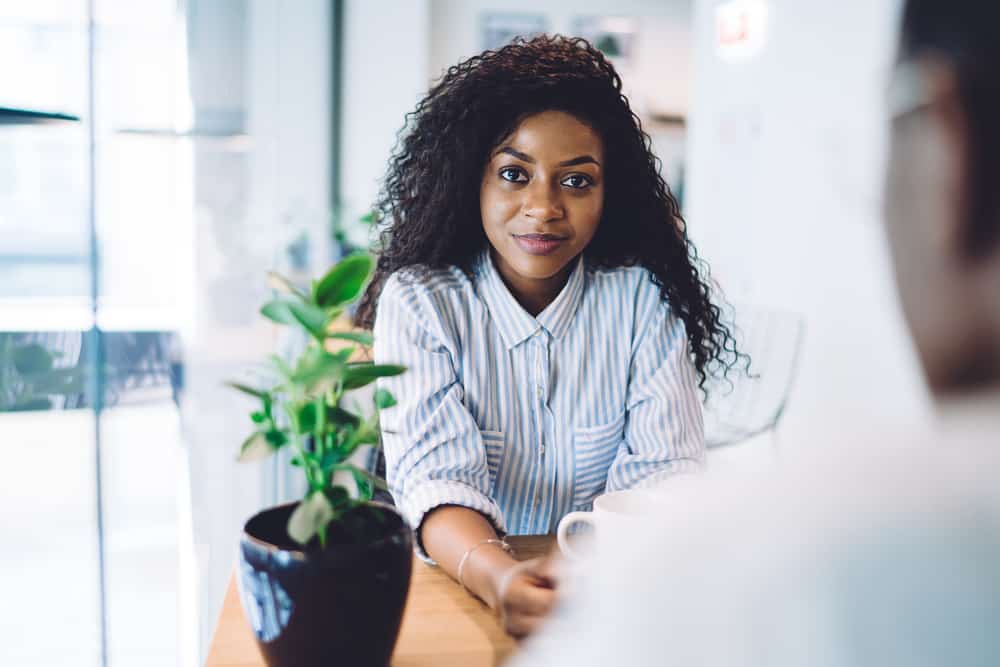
{"x":533,"y":151}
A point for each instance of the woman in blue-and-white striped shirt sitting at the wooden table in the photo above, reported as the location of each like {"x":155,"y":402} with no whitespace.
{"x":536,"y":278}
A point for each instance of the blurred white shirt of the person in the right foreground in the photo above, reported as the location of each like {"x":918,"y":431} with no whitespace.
{"x":861,"y":559}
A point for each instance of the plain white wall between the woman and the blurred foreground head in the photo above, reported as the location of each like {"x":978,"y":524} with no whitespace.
{"x":785,"y":159}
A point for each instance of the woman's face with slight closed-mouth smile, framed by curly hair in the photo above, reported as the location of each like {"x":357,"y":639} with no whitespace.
{"x":541,"y":196}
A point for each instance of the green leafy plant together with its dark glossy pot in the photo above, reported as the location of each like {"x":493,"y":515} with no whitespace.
{"x":323,"y":580}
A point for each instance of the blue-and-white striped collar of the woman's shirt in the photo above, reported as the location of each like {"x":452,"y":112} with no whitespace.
{"x":514,"y":323}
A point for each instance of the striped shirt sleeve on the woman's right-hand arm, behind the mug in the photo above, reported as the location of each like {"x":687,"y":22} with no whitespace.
{"x":664,"y":431}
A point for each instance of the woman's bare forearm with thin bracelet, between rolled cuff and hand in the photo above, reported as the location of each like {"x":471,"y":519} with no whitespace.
{"x":449,"y":532}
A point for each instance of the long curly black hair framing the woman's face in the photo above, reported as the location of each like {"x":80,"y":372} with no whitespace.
{"x":430,"y":195}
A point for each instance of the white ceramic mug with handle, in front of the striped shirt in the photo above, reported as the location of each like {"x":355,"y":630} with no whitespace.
{"x":615,"y":517}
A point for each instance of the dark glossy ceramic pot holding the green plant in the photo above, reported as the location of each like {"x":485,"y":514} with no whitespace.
{"x":342,"y":605}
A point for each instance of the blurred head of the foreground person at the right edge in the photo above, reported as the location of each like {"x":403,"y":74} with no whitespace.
{"x":943,"y":188}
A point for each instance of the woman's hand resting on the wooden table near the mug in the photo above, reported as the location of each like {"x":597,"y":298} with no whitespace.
{"x":525,"y":595}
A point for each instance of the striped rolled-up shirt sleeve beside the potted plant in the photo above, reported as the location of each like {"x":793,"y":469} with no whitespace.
{"x":433,"y":448}
